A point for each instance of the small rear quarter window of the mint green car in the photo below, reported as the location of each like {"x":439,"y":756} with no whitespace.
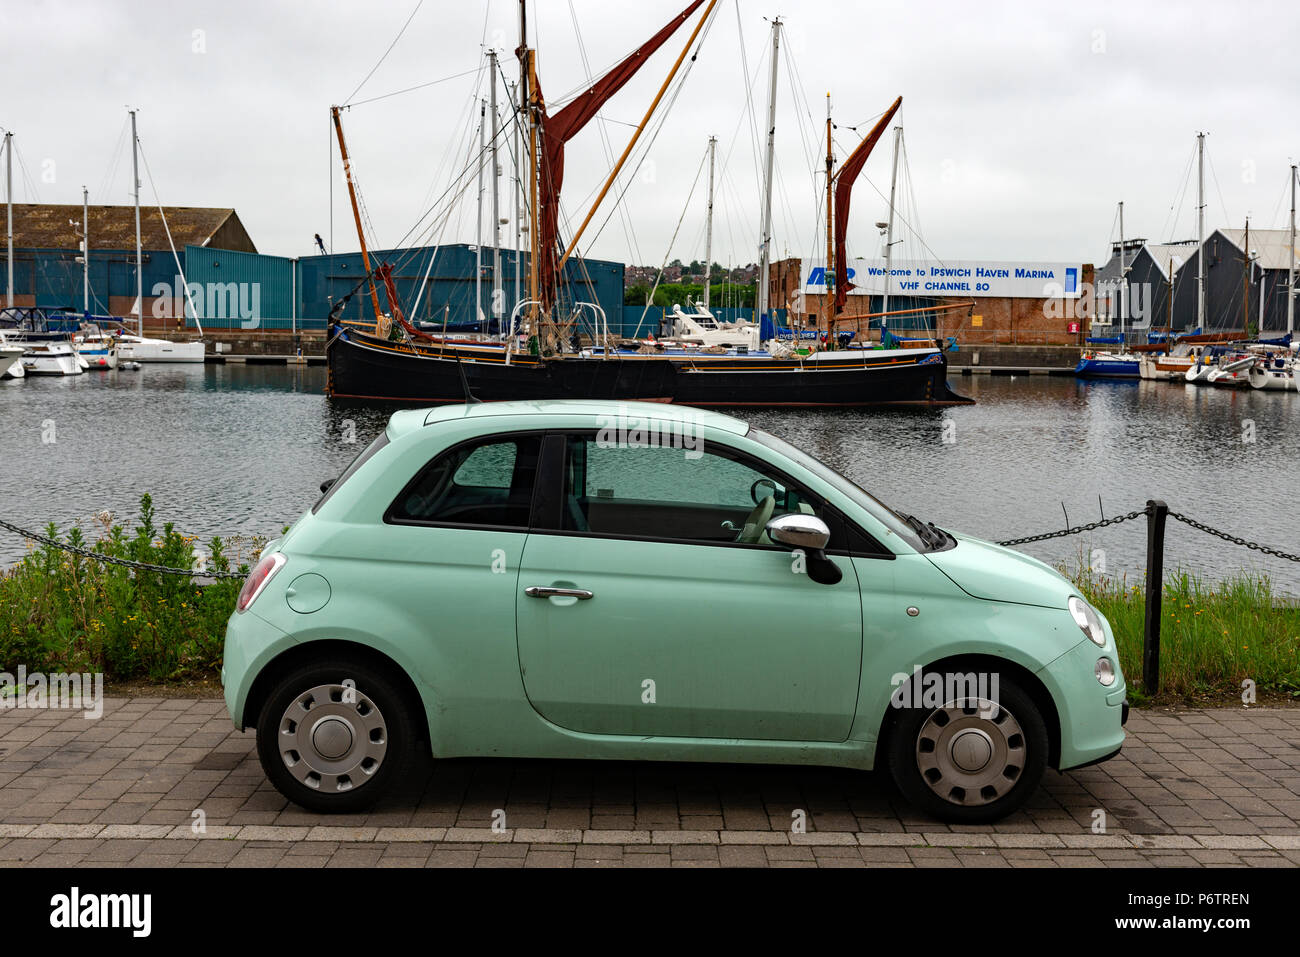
{"x":487,"y":483}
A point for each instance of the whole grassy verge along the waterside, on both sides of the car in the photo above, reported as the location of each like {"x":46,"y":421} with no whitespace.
{"x":66,"y":613}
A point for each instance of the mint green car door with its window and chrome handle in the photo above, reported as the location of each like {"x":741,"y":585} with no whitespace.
{"x":639,"y":613}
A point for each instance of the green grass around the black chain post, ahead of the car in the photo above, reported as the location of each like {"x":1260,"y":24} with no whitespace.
{"x":1214,"y":636}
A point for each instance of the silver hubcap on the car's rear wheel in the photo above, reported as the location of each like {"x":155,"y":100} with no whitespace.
{"x":333,"y":738}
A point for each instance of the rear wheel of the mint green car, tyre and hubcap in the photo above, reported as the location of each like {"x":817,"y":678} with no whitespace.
{"x":367,"y":728}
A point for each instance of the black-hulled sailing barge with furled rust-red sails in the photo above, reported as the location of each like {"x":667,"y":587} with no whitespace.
{"x":395,"y":362}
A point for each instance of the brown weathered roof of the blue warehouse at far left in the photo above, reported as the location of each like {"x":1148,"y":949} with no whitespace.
{"x":114,"y":227}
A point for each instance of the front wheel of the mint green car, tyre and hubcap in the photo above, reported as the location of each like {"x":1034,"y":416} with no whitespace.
{"x":942,"y":774}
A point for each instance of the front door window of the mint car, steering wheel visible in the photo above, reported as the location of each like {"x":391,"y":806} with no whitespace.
{"x":712,"y":495}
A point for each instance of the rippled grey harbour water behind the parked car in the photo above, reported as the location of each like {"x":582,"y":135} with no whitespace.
{"x":241,"y":451}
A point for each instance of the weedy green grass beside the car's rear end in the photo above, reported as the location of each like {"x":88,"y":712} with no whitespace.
{"x":64,"y":613}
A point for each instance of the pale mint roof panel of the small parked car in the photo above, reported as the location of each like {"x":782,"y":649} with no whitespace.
{"x":600,"y":414}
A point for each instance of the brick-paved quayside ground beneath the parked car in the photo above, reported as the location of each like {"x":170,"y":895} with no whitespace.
{"x":1193,"y":789}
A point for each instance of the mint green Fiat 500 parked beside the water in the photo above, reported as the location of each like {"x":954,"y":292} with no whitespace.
{"x":645,"y":582}
